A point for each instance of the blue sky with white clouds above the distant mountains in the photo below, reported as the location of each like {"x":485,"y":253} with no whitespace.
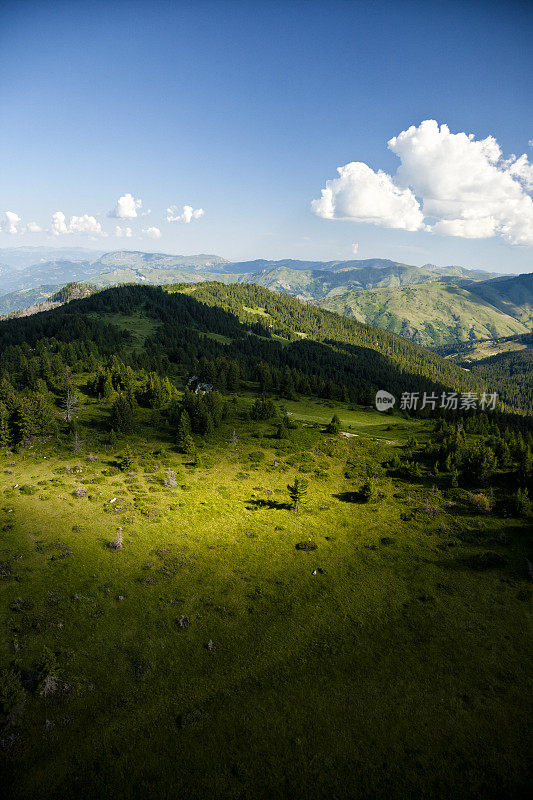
{"x":244,"y":110}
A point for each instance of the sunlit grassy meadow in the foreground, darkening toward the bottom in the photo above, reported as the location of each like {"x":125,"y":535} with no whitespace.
{"x":396,"y":673}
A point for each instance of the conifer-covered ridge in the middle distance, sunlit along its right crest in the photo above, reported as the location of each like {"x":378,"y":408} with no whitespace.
{"x":251,"y":325}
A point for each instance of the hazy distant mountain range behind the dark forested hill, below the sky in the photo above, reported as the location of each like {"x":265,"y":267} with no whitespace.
{"x":431,"y":305}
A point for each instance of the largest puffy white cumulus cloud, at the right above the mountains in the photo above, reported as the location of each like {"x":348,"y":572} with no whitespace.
{"x":447,"y":183}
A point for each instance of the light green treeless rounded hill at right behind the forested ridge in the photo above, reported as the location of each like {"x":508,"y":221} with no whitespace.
{"x":434,"y":313}
